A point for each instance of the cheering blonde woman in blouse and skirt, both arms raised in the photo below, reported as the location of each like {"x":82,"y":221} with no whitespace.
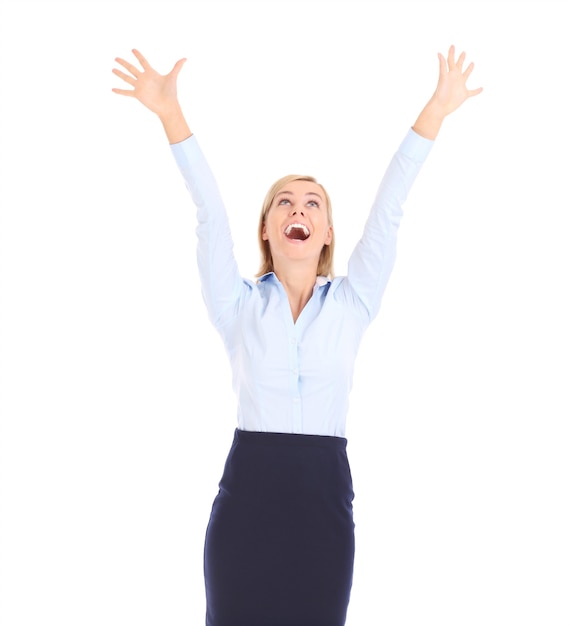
{"x":279,"y":546}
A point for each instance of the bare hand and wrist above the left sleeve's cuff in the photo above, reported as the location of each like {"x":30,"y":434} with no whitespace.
{"x":157,"y":92}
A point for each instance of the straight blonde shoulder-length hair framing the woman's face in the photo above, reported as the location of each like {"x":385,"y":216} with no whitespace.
{"x":326,"y":261}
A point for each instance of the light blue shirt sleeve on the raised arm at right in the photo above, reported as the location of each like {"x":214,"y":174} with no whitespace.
{"x":373,"y":258}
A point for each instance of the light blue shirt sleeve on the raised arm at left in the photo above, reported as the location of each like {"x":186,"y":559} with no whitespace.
{"x":220,"y":279}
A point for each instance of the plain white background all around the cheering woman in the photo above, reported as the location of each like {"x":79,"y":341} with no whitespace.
{"x":116,"y":406}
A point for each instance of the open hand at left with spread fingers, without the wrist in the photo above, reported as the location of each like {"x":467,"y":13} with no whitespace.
{"x":156,"y":91}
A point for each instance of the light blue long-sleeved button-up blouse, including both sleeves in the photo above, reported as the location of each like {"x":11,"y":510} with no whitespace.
{"x":296,"y":377}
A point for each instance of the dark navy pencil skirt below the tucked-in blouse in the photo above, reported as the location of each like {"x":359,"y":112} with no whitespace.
{"x":279,"y":548}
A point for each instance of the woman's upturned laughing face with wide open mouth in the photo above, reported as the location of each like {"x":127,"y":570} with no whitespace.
{"x":297,"y":225}
